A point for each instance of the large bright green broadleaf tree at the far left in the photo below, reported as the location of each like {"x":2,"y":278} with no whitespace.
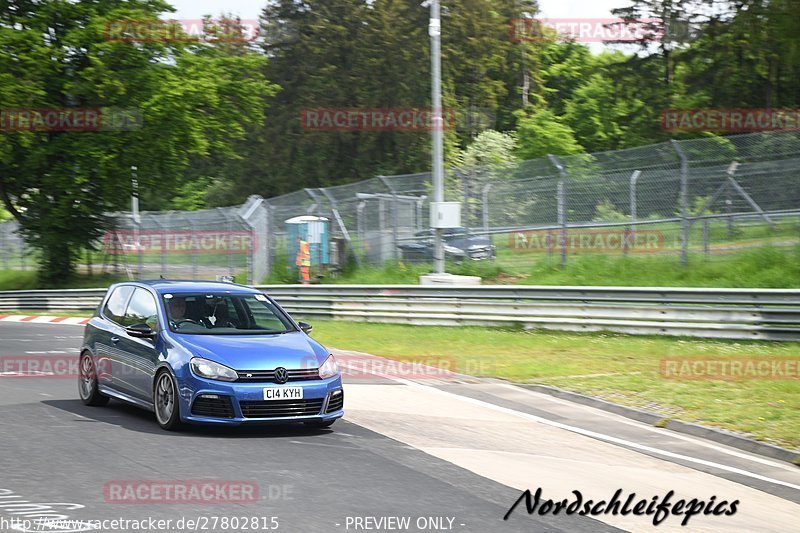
{"x":183,"y":100}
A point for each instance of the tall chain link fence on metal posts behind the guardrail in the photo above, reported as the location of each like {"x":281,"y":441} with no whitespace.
{"x":694,"y":200}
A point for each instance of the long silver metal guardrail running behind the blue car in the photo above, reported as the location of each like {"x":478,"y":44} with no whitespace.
{"x":766,"y":314}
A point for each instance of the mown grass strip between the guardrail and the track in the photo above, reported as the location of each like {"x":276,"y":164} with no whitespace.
{"x":622,"y":369}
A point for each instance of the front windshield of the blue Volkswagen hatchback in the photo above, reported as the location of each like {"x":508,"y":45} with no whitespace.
{"x":224,"y":314}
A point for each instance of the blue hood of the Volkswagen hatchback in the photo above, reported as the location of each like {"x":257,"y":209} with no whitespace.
{"x":256,"y":352}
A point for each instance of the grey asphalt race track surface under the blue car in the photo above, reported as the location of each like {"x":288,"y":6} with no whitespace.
{"x":448,"y":455}
